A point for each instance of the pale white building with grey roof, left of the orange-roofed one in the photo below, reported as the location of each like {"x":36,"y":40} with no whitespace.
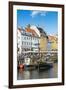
{"x":26,"y":41}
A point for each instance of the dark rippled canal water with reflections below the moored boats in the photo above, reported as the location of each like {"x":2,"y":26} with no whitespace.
{"x":38,"y":74}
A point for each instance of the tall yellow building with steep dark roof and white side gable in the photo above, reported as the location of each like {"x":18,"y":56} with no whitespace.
{"x":43,"y":40}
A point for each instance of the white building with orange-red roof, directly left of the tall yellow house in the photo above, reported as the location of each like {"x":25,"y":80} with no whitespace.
{"x":34,"y":39}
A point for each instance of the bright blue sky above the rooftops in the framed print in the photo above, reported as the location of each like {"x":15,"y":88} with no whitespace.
{"x":48,"y":20}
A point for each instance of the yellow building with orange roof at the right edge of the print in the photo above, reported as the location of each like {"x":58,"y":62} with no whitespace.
{"x":54,"y":42}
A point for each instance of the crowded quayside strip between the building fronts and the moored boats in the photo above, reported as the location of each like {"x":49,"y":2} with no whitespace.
{"x":38,"y":55}
